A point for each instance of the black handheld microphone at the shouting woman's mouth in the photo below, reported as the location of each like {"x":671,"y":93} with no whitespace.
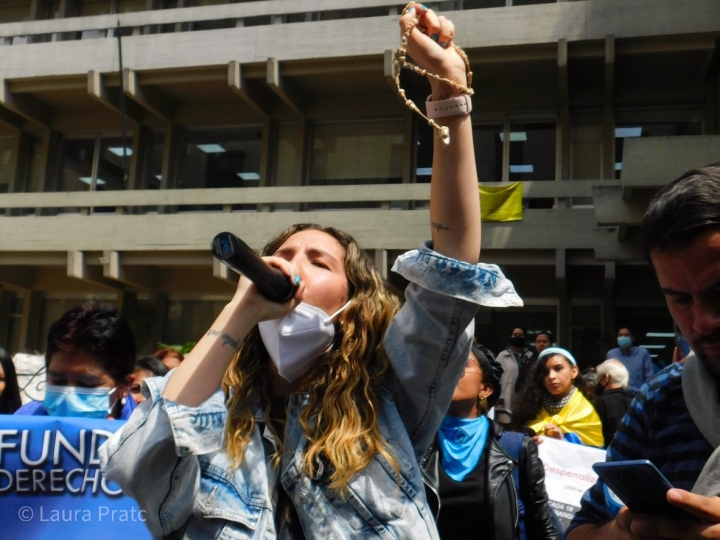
{"x":237,"y":255}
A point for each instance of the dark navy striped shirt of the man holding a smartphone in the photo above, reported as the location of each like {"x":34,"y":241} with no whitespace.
{"x":657,"y":427}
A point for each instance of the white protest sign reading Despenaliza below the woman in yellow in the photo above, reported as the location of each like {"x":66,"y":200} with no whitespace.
{"x":568,"y":474}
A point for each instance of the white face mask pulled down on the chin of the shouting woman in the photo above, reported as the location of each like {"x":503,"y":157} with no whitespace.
{"x":295,"y":341}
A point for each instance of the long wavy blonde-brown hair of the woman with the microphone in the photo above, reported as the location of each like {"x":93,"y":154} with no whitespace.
{"x":340,"y":421}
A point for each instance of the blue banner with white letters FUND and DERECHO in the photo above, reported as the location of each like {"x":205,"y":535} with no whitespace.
{"x":51,"y":486}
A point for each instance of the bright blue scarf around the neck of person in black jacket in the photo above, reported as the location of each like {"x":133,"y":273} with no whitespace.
{"x":462,"y":441}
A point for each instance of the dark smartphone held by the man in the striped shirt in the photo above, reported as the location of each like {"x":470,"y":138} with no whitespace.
{"x":640,"y":486}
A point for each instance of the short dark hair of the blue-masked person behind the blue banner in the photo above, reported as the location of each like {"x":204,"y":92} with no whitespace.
{"x":98,"y":330}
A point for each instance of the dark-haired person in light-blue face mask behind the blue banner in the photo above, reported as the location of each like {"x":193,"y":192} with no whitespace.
{"x":89,"y":358}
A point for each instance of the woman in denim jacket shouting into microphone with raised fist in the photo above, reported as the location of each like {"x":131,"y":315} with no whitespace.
{"x":328,"y":402}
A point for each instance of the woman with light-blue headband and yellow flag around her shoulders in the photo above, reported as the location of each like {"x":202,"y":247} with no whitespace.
{"x":552,"y":405}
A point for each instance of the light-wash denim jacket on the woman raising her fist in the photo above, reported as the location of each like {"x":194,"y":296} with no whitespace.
{"x":171,"y":458}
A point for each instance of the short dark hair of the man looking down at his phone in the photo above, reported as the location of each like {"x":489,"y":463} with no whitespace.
{"x":682,"y":210}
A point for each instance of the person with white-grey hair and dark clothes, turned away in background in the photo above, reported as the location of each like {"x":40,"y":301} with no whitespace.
{"x":612,"y":396}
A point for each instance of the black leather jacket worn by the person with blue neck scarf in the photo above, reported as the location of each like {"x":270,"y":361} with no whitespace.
{"x":539,"y":522}
